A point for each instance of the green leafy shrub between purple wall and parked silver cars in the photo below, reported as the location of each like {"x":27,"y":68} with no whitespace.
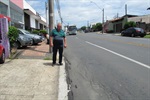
{"x":13,"y":35}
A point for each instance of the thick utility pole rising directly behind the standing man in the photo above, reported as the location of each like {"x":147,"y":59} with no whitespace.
{"x":51,"y":20}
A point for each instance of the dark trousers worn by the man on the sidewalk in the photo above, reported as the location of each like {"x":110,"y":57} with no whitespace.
{"x":55,"y":49}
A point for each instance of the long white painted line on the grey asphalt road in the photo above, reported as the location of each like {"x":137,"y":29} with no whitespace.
{"x":147,"y":66}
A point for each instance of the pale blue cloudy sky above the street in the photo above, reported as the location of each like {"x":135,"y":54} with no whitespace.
{"x":83,"y":12}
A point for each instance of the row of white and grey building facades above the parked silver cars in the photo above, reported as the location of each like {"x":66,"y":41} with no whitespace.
{"x":22,"y":15}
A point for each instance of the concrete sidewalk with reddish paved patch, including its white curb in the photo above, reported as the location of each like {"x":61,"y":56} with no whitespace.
{"x":31,"y":77}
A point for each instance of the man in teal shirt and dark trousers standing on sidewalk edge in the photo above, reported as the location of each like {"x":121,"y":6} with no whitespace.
{"x":58,"y":42}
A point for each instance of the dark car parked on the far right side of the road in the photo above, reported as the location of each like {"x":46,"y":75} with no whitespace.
{"x":133,"y":31}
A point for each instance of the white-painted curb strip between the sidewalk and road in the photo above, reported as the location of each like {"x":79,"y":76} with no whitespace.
{"x":63,"y":87}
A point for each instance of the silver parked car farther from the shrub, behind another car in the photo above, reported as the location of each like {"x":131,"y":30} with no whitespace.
{"x":35,"y":38}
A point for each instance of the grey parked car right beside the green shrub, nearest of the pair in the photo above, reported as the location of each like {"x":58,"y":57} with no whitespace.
{"x":23,"y":41}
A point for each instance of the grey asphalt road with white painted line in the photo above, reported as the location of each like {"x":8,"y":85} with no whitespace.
{"x":108,"y":67}
